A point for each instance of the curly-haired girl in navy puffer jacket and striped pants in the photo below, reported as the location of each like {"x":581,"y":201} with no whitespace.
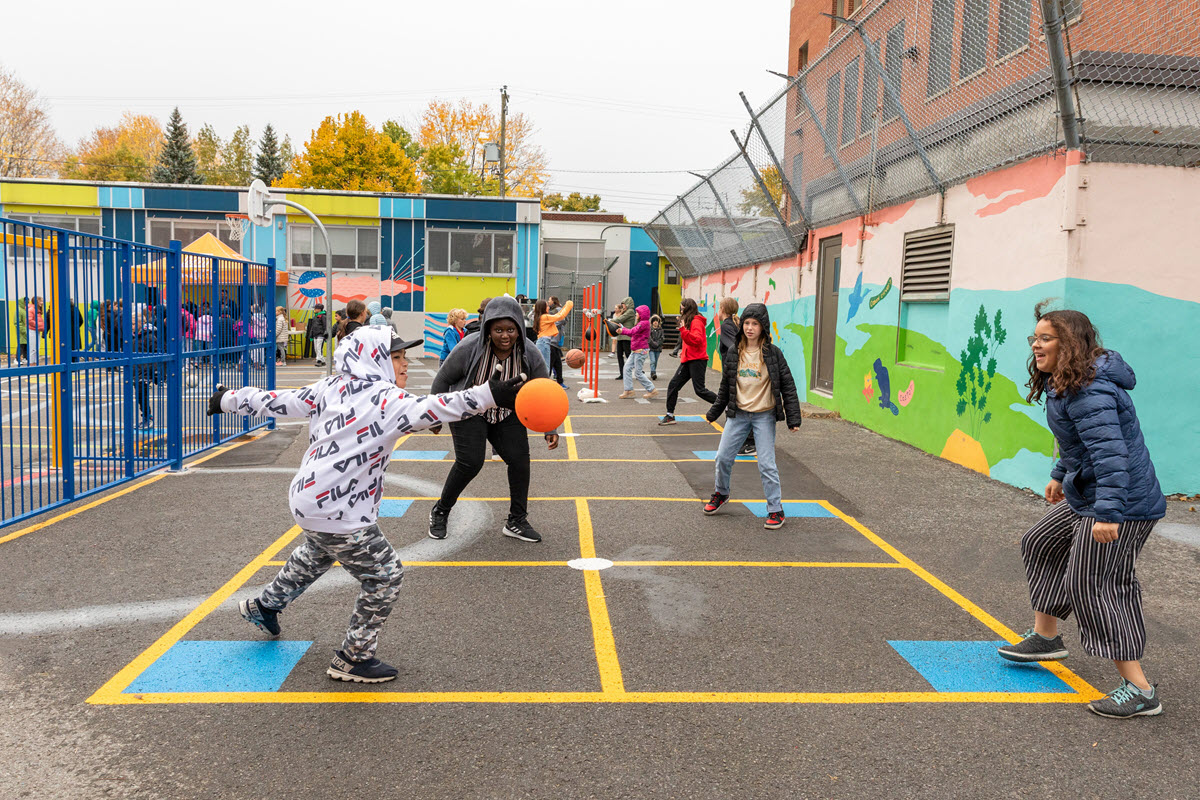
{"x":1105,"y":502}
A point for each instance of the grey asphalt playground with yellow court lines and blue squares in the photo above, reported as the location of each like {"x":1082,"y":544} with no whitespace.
{"x":643,"y":649}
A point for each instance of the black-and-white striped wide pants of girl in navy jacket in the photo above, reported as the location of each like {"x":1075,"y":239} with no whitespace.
{"x":1070,"y":572}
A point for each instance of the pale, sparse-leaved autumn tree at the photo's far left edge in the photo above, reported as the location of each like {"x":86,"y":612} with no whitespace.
{"x":29,"y":147}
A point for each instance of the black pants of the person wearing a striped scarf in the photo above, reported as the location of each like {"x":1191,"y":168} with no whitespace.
{"x":512,"y":443}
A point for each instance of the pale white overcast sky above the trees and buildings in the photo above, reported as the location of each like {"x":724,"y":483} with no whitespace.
{"x":649,"y":86}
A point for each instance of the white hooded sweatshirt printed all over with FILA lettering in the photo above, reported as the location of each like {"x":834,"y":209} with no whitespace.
{"x":355,"y":419}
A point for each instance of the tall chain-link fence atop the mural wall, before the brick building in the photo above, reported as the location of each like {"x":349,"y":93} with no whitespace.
{"x":911,"y":97}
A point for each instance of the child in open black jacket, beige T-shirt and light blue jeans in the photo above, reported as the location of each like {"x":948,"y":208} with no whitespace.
{"x":757,"y":393}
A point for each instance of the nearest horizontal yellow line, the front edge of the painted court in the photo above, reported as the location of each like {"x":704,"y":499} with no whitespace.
{"x":383,"y":696}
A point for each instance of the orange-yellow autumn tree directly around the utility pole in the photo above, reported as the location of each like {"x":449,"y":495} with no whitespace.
{"x":471,"y":128}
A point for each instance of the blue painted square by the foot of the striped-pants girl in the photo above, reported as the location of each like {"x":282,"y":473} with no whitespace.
{"x":976,"y":667}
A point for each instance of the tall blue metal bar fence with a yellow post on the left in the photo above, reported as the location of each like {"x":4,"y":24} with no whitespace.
{"x":110,"y":351}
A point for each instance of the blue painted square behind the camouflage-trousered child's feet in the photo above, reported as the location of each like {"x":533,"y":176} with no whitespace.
{"x":221,"y":667}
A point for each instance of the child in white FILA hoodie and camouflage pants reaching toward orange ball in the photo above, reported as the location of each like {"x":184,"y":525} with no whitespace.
{"x":355,"y":419}
